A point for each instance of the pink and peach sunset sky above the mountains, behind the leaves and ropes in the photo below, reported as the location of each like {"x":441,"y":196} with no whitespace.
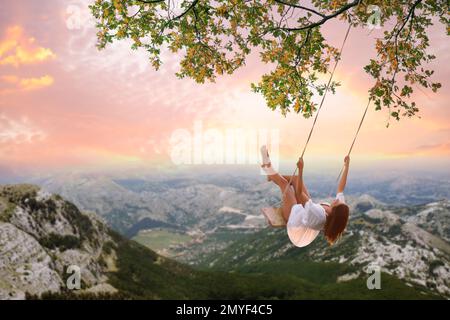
{"x":66,"y":105}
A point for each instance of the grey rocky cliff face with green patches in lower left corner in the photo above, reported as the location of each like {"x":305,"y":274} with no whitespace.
{"x":41,"y":235}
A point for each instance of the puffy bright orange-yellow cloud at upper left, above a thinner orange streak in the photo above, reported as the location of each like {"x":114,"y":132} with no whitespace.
{"x":16,"y":49}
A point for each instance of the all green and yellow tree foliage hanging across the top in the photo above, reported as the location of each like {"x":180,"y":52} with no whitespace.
{"x":215,"y":37}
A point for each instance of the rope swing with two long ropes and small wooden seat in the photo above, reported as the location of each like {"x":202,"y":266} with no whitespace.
{"x":274,"y":215}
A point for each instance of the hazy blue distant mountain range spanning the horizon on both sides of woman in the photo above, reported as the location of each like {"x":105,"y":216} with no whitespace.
{"x":202,"y":201}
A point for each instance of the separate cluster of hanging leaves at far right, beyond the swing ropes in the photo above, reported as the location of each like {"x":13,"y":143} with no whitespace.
{"x":402,"y":56}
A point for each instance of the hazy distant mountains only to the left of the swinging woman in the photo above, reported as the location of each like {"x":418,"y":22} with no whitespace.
{"x":196,"y":203}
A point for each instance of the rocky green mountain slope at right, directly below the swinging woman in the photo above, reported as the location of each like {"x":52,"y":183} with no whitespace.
{"x":409,"y":243}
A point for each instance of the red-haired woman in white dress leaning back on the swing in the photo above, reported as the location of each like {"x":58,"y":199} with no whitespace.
{"x":305,"y":219}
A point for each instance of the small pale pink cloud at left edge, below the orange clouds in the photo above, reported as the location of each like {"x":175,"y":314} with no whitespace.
{"x":19,"y":131}
